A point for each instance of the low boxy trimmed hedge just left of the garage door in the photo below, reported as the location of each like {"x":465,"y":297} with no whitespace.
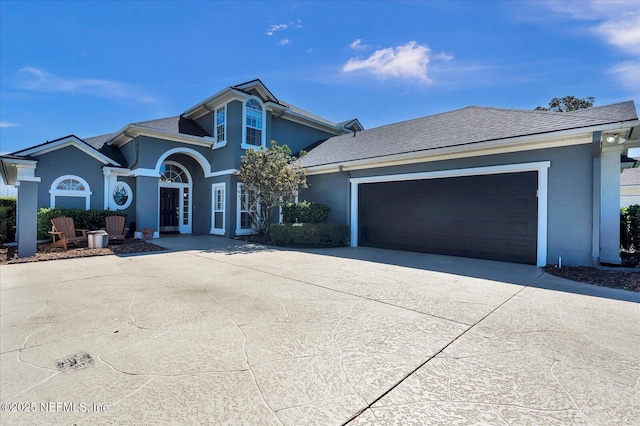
{"x":309,"y":234}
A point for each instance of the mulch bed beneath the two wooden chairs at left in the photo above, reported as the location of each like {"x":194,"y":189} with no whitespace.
{"x":45,"y":252}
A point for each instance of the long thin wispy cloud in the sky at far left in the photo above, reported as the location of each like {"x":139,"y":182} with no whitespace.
{"x":39,"y":80}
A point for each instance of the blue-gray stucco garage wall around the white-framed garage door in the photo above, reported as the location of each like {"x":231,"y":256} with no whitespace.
{"x":569,"y":194}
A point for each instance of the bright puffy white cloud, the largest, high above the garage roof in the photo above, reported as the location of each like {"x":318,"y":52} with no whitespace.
{"x":409,"y":61}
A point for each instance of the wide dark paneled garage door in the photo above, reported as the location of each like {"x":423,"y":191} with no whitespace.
{"x":487,"y":217}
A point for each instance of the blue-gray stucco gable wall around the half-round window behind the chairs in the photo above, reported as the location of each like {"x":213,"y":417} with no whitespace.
{"x":70,"y":161}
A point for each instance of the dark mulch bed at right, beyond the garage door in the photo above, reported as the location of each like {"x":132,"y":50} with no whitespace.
{"x":601,"y":277}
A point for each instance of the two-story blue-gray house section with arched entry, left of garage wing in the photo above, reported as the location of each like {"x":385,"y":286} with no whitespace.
{"x":176,"y":174}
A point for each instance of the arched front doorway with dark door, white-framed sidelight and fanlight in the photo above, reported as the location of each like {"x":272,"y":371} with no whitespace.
{"x":176,"y":189}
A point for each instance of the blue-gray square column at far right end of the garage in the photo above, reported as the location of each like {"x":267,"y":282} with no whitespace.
{"x":610,"y":205}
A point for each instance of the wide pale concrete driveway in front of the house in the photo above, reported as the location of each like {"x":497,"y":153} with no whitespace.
{"x":240,"y":334}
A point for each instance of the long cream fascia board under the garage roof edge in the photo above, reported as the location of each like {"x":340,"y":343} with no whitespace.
{"x":521,"y":143}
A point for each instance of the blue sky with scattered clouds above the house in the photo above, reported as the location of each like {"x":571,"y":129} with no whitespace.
{"x":89,"y":68}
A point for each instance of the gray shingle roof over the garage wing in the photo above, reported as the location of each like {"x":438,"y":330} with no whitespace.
{"x":460,"y":127}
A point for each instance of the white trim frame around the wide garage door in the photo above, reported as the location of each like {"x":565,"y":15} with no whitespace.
{"x":541,"y":167}
